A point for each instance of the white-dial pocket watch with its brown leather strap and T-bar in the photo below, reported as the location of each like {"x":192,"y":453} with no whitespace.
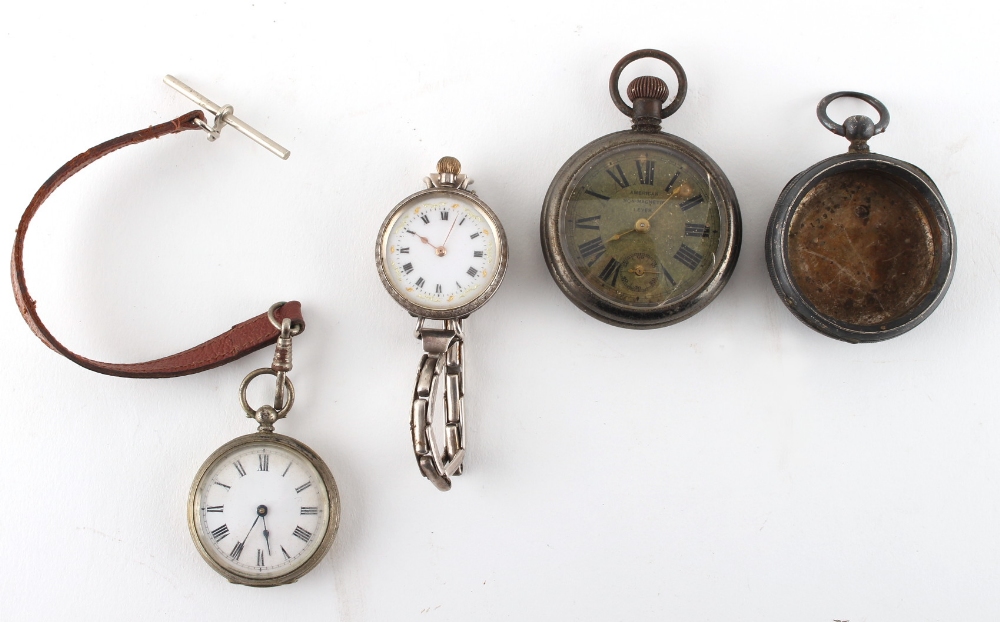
{"x":264,"y":508}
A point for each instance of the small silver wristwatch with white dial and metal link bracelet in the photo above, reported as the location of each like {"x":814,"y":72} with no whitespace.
{"x":441,"y":253}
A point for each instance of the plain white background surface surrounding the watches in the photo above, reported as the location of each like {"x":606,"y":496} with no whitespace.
{"x":737,"y":466}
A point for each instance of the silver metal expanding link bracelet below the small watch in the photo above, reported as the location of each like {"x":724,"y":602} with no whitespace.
{"x":443,"y":358}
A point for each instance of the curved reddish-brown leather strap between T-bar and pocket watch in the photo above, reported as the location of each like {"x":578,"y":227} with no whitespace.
{"x":241,"y":340}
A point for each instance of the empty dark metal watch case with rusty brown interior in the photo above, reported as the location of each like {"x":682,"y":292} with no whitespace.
{"x":860,"y":246}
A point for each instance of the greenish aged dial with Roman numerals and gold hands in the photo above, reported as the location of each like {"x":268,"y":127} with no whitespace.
{"x":641,"y":226}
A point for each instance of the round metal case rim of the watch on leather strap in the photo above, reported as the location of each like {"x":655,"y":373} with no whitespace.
{"x":333,"y":508}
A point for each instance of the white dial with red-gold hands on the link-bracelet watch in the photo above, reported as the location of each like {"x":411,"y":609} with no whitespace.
{"x":441,"y":251}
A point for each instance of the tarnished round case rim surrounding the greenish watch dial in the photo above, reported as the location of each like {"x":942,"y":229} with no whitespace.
{"x":626,"y":316}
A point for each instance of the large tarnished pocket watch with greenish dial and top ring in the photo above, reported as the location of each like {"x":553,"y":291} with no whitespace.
{"x":640,"y":228}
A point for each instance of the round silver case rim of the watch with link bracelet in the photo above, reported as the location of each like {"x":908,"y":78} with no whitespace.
{"x":463,"y":310}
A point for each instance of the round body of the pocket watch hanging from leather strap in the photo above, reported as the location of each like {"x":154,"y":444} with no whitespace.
{"x":263,"y":510}
